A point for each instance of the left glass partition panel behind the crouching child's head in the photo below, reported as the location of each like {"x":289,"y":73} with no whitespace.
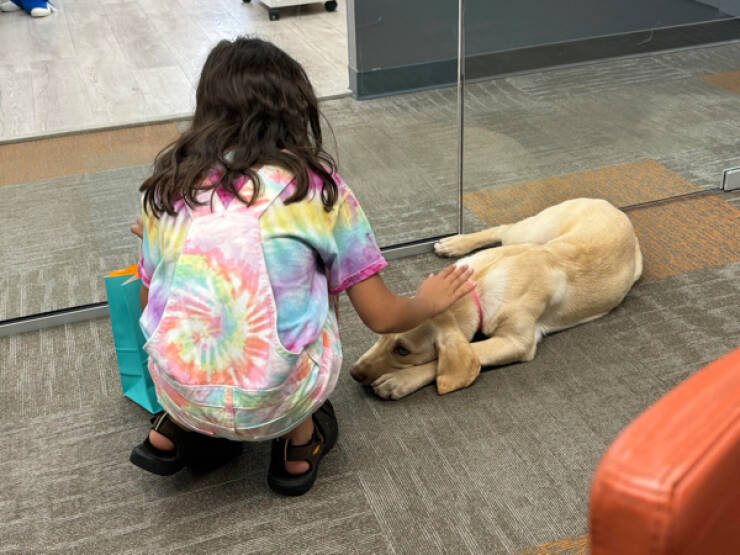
{"x":70,"y":198}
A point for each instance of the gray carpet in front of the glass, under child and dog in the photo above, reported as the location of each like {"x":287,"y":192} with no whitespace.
{"x":502,"y":465}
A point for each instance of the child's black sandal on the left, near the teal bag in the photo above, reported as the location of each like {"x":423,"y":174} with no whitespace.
{"x":190,"y":448}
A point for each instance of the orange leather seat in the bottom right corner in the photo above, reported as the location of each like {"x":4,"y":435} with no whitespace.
{"x":670,"y":482}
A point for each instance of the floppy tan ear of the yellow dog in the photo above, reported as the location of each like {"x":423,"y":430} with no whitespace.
{"x":457,"y":364}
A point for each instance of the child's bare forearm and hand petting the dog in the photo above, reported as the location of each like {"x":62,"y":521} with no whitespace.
{"x":384,"y":312}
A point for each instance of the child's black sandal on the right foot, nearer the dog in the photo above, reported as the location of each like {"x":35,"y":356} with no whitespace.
{"x":325,"y":432}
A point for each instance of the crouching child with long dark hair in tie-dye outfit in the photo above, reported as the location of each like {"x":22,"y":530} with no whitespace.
{"x":248,"y":237}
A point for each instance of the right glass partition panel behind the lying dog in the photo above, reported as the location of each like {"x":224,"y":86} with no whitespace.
{"x":633,"y":102}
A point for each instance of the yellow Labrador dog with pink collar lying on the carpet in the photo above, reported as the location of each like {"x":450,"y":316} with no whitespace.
{"x":569,"y":264}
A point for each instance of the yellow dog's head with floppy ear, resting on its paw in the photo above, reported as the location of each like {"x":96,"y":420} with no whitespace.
{"x":436,"y":339}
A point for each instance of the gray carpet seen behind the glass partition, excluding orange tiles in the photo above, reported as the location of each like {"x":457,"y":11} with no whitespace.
{"x":399,"y":156}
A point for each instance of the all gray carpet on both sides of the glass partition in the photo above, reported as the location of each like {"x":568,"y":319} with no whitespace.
{"x":501,"y":466}
